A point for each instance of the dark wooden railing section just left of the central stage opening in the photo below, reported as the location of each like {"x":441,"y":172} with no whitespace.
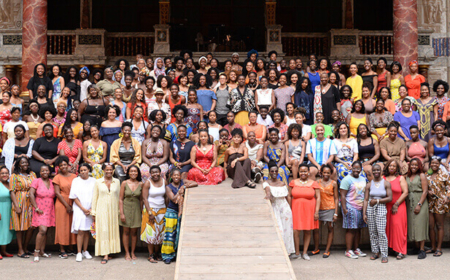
{"x":129,"y":44}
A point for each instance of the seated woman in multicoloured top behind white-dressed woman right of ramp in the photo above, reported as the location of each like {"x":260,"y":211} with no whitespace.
{"x":274,"y":150}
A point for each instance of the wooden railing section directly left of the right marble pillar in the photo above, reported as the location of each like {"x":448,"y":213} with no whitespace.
{"x":376,"y":43}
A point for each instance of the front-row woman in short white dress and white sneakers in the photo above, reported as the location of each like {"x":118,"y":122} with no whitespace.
{"x":81,"y":193}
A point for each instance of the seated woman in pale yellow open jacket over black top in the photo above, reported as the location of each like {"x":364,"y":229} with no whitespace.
{"x":125,"y":152}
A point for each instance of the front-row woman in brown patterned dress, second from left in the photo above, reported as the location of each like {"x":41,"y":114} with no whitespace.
{"x":21,"y":212}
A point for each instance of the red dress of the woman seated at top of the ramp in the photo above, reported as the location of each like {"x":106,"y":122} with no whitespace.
{"x":215,"y":176}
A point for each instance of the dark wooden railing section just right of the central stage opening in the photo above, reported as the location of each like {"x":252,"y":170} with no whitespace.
{"x":304,"y":44}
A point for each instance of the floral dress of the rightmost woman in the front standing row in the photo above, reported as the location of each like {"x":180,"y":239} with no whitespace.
{"x":439,"y":188}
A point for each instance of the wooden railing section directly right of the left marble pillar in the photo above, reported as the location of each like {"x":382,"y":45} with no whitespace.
{"x":61,"y":42}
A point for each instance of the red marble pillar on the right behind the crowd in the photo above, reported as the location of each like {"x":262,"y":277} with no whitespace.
{"x":405,"y":32}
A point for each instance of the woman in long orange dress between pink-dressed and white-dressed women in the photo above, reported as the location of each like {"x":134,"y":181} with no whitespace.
{"x":63,"y":207}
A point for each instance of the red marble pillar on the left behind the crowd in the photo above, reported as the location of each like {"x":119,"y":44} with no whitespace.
{"x":34,"y":38}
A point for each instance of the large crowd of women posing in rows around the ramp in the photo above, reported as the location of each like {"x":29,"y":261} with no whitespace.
{"x":92,"y":152}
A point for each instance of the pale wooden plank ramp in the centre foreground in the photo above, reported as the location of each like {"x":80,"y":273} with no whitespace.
{"x":230,"y":233}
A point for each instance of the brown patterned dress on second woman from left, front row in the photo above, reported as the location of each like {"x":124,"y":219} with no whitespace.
{"x":20,"y":184}
